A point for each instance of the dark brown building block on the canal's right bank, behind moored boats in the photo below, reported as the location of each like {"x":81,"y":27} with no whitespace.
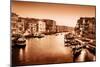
{"x":86,"y":27}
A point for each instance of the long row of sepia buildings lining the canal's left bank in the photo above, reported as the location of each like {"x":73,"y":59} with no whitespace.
{"x":31,"y":26}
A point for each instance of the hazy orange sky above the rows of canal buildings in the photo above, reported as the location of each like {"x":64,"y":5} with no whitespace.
{"x":61,"y":13}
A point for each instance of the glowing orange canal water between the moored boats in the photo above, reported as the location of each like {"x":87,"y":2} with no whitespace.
{"x":46,"y":50}
